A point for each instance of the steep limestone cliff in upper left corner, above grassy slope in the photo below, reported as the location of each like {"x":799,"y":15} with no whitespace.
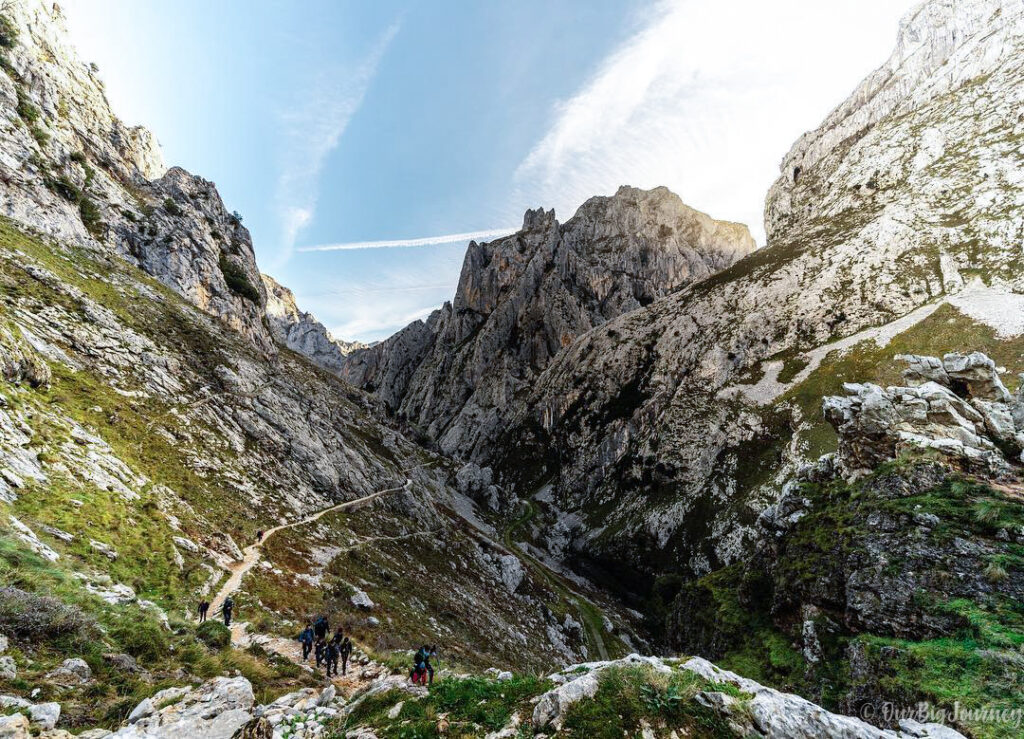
{"x":71,"y":169}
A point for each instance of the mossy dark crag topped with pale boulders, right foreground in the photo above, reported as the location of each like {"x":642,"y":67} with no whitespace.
{"x":890,"y":573}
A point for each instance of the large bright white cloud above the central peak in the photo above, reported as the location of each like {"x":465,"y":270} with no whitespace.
{"x":707,"y":99}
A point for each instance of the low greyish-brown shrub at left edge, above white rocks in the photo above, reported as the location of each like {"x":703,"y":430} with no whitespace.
{"x":37,"y":619}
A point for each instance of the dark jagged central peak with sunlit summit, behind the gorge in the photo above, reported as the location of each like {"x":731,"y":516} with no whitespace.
{"x":524,"y":299}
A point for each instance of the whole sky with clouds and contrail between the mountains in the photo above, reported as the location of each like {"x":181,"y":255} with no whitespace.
{"x":333,"y":123}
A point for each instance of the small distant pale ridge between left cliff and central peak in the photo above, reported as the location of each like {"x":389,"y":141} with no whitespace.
{"x":302,"y":332}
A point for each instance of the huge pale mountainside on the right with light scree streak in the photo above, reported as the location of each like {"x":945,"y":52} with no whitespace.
{"x":657,"y":439}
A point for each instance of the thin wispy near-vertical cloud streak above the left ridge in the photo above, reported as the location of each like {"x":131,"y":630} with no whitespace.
{"x":313,"y":128}
